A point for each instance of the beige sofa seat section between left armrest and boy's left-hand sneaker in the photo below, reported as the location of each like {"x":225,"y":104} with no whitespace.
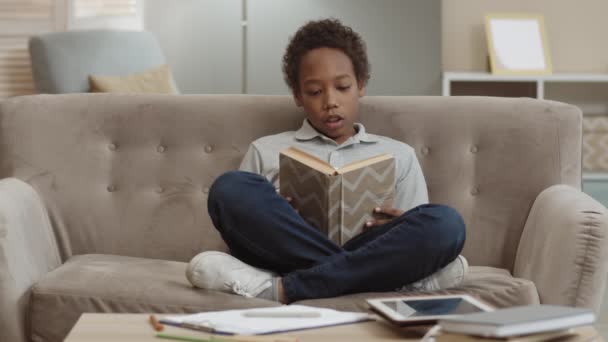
{"x":109,"y":283}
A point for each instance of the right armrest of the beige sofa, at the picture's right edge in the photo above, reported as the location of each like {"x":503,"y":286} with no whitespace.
{"x":563,"y":248}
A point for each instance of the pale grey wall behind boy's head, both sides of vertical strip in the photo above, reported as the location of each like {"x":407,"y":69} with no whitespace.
{"x":202,"y":40}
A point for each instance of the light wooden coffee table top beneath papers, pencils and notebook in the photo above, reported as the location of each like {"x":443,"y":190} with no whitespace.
{"x":98,"y":327}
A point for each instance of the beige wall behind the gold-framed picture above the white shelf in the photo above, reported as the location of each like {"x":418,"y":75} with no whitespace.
{"x":575,"y":32}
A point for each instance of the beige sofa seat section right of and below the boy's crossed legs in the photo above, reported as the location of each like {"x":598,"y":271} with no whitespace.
{"x":492,"y":285}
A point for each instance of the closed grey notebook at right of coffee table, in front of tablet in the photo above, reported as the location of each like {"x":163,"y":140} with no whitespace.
{"x":519,"y":320}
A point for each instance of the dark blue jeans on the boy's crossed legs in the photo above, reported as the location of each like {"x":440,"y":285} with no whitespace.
{"x":262,"y":229}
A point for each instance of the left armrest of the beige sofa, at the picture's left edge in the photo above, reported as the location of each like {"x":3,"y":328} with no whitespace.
{"x":28,"y":251}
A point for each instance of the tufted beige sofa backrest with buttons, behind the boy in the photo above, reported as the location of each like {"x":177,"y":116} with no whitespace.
{"x":129,"y":174}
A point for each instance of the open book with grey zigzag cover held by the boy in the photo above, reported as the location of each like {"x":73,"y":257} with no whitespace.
{"x":337,"y":201}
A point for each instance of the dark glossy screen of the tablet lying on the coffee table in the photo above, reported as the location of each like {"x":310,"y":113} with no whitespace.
{"x":431,"y":307}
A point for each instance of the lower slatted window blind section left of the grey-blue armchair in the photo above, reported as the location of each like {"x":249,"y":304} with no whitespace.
{"x":15,"y":70}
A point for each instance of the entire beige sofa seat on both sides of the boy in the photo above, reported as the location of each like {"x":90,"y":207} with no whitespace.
{"x":111,"y":283}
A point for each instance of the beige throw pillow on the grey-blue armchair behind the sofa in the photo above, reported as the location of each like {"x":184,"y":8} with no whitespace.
{"x":155,"y":80}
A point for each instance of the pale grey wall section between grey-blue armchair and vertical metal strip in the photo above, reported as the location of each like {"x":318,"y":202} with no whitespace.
{"x":201,"y":40}
